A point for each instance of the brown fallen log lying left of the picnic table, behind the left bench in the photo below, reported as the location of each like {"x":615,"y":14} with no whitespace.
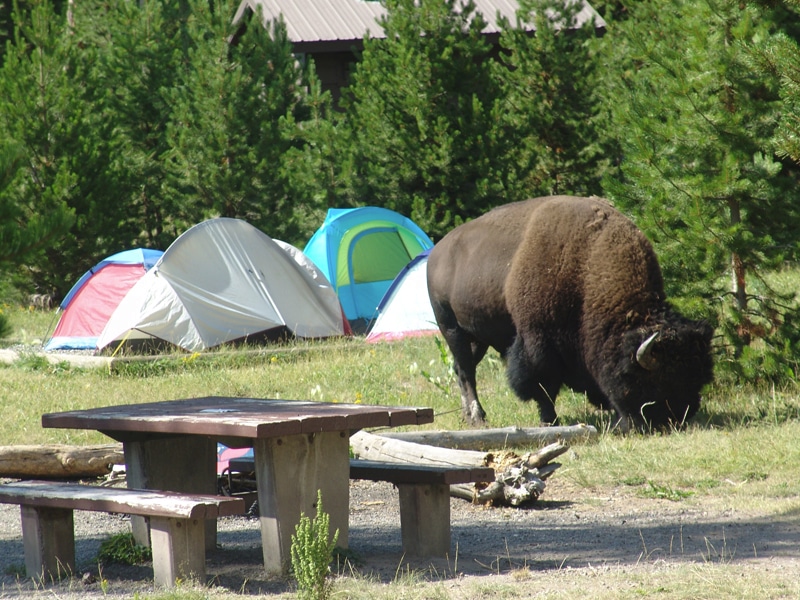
{"x":58,"y":460}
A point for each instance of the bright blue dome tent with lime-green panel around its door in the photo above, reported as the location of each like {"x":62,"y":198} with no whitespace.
{"x":361,"y":251}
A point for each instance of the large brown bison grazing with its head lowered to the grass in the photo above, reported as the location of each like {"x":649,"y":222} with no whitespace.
{"x":569,"y":292}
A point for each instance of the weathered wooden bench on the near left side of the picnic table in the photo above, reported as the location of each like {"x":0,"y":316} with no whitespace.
{"x":177,"y":525}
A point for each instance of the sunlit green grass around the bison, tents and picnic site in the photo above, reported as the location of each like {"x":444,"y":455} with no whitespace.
{"x":740,"y":451}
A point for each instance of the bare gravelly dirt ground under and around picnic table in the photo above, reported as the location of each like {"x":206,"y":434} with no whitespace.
{"x":568,"y":528}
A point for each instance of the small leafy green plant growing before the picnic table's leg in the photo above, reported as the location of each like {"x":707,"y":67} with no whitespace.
{"x":312,"y":553}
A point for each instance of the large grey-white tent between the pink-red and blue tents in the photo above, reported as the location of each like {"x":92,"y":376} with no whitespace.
{"x":222,"y":281}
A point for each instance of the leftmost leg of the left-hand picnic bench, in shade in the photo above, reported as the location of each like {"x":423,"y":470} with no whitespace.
{"x":48,"y":536}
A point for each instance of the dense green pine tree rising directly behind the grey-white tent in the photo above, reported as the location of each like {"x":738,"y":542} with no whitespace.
{"x":229,"y":127}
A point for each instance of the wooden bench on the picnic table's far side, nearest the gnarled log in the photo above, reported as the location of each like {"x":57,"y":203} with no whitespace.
{"x":424,"y":497}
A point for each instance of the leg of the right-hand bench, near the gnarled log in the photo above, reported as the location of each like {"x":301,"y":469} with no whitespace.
{"x":425,"y":519}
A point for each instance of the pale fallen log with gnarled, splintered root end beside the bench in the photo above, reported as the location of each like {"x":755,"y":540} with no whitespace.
{"x":518,"y":479}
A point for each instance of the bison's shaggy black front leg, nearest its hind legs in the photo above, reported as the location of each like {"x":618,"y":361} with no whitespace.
{"x":533,"y":375}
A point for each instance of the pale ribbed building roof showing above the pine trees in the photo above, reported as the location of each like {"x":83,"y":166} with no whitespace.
{"x":339,"y":22}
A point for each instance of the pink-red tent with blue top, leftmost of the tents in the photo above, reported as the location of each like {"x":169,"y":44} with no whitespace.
{"x":94,"y":297}
